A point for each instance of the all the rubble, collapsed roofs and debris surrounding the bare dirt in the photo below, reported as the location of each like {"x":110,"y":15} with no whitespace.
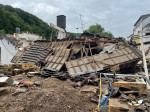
{"x":110,"y":65}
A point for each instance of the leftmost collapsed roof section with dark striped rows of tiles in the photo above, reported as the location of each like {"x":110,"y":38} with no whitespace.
{"x":35,"y":53}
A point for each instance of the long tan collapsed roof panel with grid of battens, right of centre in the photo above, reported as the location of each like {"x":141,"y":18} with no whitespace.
{"x":100,"y":61}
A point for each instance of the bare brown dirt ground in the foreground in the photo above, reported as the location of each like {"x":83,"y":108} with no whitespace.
{"x":53,"y":95}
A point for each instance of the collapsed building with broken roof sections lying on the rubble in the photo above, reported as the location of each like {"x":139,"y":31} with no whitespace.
{"x":88,"y":54}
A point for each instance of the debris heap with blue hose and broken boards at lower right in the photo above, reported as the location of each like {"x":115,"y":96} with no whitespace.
{"x":128,"y":93}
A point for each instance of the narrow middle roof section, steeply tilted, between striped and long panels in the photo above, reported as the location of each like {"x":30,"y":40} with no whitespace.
{"x":59,"y":56}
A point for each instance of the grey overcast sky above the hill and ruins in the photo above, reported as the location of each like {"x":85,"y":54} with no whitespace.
{"x":116,"y":16}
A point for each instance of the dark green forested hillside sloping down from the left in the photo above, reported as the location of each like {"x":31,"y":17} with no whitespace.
{"x":10,"y":18}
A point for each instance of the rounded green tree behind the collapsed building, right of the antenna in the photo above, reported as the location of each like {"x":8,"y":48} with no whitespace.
{"x":98,"y":29}
